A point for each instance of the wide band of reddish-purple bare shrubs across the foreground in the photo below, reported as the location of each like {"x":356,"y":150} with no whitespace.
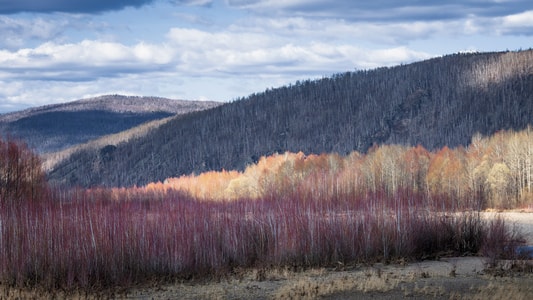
{"x":85,"y":240}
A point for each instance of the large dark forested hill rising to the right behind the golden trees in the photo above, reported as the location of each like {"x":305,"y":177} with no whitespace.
{"x":438,"y":102}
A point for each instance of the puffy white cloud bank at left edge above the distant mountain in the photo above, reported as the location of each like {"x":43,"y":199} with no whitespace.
{"x":82,"y":61}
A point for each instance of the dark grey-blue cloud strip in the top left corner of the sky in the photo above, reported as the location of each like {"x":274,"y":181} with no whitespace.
{"x":78,"y":6}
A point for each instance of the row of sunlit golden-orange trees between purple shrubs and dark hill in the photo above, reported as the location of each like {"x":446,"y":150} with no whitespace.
{"x":492,"y":172}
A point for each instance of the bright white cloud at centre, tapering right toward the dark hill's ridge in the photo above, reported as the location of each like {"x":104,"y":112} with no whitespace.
{"x":246,"y":52}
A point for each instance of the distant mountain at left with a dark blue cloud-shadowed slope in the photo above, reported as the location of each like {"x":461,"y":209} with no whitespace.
{"x":56,"y":127}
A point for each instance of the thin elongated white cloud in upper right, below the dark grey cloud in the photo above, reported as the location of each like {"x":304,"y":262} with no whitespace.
{"x":338,"y":31}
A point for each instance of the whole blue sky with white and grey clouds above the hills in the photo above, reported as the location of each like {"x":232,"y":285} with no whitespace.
{"x":54,"y":51}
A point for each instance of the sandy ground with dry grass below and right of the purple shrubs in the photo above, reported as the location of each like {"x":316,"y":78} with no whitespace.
{"x":446,"y":278}
